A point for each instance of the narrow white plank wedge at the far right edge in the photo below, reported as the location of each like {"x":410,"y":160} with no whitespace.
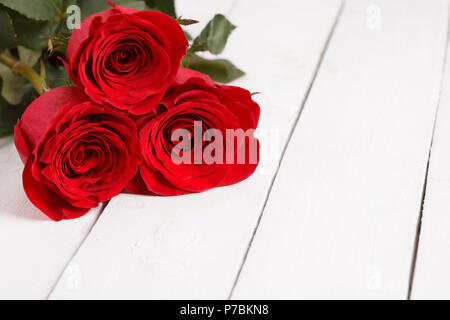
{"x":432,"y":278}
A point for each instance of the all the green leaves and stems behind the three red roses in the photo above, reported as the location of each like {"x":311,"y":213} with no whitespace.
{"x":35,"y":33}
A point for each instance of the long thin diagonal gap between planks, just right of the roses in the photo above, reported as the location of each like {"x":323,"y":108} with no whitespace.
{"x":297,"y":119}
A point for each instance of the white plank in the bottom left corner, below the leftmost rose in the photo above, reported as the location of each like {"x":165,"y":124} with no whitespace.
{"x":34,"y":250}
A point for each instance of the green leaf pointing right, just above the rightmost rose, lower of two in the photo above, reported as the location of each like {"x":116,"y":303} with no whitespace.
{"x":219,"y":70}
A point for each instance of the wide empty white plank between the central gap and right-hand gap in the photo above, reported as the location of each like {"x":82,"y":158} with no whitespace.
{"x":341,"y":219}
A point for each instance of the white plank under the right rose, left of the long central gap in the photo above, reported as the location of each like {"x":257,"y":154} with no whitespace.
{"x":193,"y":246}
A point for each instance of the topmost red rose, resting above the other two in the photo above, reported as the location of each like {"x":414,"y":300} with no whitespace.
{"x":126,"y":58}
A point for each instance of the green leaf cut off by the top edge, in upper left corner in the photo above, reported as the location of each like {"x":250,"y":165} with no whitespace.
{"x":35,"y":9}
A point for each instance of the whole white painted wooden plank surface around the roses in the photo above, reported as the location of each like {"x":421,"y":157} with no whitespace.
{"x":351,"y":199}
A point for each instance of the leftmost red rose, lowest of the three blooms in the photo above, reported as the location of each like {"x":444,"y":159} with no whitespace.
{"x":76,"y":153}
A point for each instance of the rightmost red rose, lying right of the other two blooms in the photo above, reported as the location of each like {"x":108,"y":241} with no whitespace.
{"x":205,"y":158}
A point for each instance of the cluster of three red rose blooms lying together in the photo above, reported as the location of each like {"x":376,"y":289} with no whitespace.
{"x":135,"y":120}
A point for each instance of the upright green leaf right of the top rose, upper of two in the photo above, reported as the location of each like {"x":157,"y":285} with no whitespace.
{"x":214,"y":36}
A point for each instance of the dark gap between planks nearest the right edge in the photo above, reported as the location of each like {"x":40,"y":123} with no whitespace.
{"x":425,"y":182}
